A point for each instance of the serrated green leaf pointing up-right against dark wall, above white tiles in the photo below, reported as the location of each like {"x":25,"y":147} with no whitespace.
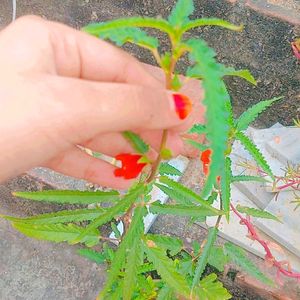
{"x":252,"y":113}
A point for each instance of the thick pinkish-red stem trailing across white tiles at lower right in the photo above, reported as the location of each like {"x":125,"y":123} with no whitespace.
{"x":269,"y":256}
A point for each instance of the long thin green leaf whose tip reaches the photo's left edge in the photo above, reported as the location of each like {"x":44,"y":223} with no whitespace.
{"x":64,"y":216}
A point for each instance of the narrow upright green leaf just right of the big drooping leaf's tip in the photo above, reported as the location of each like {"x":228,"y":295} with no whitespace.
{"x":225,"y":187}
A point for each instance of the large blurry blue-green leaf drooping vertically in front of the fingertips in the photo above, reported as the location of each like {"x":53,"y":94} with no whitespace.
{"x":217,"y":114}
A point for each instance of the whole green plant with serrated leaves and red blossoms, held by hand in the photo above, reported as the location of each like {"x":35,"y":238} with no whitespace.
{"x":147,"y":266}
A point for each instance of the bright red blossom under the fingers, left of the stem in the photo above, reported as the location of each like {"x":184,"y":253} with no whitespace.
{"x":130,"y":167}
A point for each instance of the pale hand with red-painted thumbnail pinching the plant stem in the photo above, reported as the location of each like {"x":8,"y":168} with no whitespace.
{"x":60,"y":88}
